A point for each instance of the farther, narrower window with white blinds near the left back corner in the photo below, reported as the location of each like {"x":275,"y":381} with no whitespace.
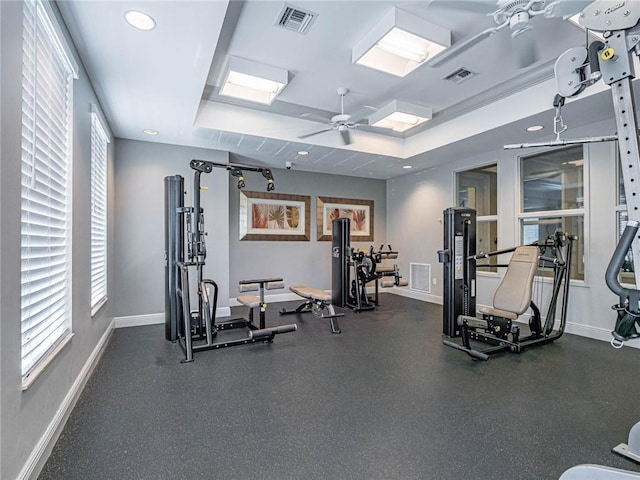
{"x":99,"y":144}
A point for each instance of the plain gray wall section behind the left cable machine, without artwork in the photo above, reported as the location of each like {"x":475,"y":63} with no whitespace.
{"x":140,"y":169}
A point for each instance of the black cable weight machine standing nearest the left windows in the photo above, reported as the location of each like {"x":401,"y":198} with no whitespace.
{"x":185,"y":250}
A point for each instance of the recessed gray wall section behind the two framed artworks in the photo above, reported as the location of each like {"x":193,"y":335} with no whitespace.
{"x":307,"y":263}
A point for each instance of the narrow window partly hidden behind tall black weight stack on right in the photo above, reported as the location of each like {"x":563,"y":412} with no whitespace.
{"x":477,"y":189}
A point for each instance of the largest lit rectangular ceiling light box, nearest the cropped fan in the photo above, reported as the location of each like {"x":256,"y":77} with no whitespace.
{"x":400,"y":43}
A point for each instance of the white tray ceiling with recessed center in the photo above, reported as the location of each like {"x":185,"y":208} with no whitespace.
{"x":167,"y":79}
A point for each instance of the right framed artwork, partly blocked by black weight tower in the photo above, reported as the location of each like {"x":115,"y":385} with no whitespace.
{"x":360,"y":212}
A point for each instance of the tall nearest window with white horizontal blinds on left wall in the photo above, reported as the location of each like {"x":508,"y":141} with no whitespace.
{"x":47,"y":81}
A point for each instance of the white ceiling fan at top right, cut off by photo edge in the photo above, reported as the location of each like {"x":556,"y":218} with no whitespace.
{"x":515,"y":14}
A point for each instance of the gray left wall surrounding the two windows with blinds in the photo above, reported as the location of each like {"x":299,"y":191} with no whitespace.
{"x":26,"y":415}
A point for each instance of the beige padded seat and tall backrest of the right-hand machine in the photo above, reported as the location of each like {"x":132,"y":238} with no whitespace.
{"x":513,"y":295}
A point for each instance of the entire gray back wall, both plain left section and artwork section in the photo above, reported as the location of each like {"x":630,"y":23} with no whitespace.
{"x":140,"y":168}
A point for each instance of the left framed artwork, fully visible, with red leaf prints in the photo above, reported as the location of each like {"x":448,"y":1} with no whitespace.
{"x":274,"y":216}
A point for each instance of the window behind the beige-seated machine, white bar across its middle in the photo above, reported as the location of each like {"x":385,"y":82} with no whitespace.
{"x":552,"y":187}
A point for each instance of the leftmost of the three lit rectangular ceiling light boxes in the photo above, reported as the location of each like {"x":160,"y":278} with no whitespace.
{"x":252,"y":81}
